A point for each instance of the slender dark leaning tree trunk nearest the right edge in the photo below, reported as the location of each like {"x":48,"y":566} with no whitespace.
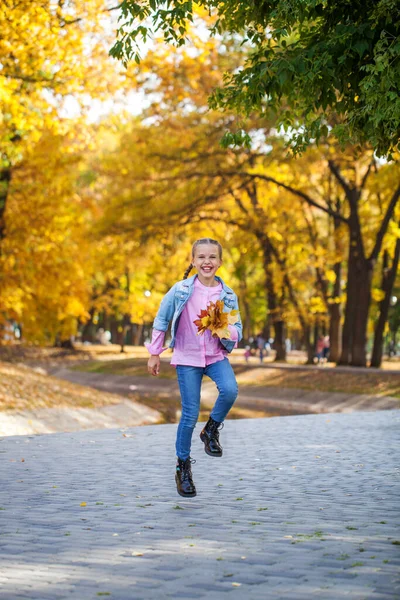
{"x":388,"y":279}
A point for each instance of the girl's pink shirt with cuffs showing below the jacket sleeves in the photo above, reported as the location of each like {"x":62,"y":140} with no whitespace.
{"x":191,"y":349}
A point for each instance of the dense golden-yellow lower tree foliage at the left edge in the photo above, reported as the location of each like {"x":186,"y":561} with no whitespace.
{"x":46,"y":259}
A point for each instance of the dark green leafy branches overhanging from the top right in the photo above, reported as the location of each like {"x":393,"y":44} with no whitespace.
{"x":320,"y":67}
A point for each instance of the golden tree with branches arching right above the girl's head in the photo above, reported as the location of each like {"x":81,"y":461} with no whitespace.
{"x":191,"y":181}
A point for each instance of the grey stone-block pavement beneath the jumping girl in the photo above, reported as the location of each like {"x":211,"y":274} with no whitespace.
{"x":298,"y":507}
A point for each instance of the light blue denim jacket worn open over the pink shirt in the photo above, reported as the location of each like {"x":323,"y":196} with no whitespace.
{"x":175,"y":299}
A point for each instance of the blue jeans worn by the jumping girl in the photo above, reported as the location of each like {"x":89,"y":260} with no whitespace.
{"x":189,"y":379}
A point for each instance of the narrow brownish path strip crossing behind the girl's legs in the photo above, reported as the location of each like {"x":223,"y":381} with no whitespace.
{"x":282,"y":400}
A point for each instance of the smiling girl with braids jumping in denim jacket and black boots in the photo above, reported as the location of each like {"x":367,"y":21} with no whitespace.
{"x":197,"y":355}
